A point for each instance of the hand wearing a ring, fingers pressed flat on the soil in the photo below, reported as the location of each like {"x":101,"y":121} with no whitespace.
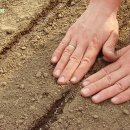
{"x":77,"y":52}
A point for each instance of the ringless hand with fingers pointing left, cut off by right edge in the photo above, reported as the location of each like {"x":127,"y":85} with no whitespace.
{"x":111,"y":82}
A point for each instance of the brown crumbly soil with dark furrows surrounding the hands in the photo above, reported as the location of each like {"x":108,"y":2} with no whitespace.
{"x":30,"y":98}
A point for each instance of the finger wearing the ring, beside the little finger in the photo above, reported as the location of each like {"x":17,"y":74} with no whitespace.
{"x":64,"y":59}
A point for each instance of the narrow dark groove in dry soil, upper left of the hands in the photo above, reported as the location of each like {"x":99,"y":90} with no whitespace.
{"x":17,"y":37}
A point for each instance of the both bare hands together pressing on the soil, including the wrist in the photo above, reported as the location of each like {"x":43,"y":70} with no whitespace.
{"x":96,"y":29}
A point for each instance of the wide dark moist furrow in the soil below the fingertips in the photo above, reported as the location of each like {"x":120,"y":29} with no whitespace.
{"x":55,"y":110}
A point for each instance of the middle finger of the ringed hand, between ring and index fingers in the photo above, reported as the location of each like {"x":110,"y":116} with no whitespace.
{"x":72,"y":65}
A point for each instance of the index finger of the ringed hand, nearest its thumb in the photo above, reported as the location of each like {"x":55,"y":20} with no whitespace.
{"x":86,"y":63}
